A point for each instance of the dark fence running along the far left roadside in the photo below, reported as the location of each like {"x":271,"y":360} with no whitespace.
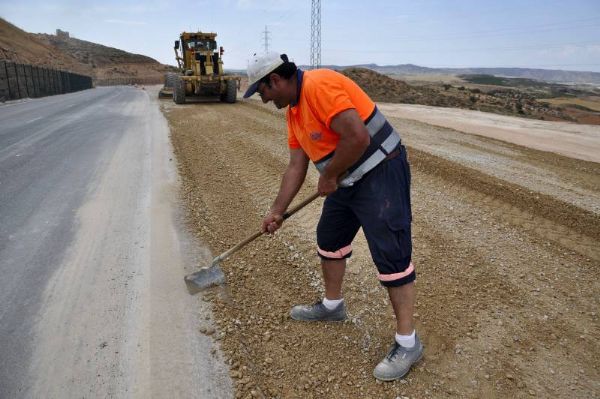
{"x":21,"y":81}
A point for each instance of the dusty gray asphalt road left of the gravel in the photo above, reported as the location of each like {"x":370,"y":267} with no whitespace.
{"x":92,"y":303}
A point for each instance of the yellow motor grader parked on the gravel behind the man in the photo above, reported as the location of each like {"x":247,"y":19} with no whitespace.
{"x":201,"y":73}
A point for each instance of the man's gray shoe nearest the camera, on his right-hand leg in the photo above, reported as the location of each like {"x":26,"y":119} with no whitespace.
{"x":398,"y":361}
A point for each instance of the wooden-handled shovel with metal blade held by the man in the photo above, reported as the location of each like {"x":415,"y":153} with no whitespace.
{"x":213,"y":275}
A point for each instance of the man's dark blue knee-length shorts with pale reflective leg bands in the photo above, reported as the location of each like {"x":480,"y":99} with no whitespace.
{"x":380,"y":204}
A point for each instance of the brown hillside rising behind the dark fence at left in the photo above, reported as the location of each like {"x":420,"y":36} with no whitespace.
{"x":64,"y":52}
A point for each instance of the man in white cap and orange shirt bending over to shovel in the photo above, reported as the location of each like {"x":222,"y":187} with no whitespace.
{"x":365,"y":176}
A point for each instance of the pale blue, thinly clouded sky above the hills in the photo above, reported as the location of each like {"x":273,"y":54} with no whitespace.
{"x":548,"y":34}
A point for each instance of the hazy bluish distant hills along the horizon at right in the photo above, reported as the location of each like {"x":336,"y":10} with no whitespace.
{"x":546,"y":75}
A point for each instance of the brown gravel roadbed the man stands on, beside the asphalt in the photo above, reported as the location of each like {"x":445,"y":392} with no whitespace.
{"x":505,"y":245}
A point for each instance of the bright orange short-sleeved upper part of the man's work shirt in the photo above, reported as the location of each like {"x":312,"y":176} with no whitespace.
{"x":324,"y":94}
